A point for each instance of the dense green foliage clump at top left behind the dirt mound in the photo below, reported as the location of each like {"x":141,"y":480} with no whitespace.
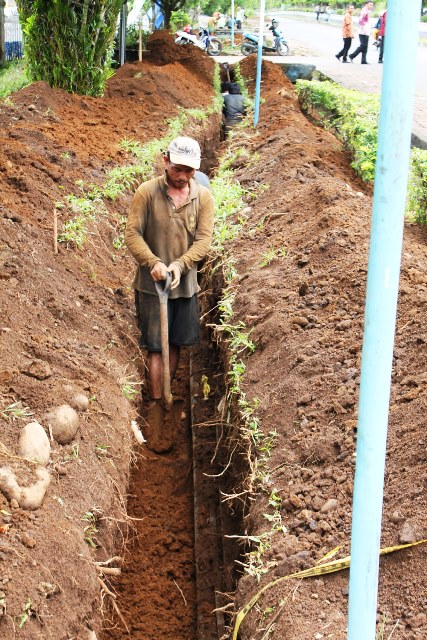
{"x":69,"y":43}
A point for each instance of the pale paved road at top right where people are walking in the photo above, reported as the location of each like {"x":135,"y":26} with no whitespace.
{"x":317,"y":43}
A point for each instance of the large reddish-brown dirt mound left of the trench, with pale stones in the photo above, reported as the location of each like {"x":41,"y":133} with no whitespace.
{"x":67,"y":328}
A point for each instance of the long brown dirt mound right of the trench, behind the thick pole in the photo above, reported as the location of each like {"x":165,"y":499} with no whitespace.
{"x":302,"y":261}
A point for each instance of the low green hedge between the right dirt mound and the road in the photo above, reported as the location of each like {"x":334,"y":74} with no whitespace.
{"x":354,"y":118}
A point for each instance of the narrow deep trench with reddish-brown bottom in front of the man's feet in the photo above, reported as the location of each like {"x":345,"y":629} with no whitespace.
{"x":179,"y":565}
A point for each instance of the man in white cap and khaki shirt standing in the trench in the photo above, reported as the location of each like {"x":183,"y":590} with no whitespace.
{"x":169,"y":229}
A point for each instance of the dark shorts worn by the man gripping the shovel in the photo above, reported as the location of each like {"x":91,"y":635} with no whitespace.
{"x":183,"y":320}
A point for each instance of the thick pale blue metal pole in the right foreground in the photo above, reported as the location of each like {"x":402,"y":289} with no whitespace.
{"x":380,"y":311}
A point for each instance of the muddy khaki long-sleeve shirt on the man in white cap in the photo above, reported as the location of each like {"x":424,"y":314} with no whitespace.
{"x":157,"y":231}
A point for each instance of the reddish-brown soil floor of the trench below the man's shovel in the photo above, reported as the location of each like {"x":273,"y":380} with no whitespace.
{"x":156,"y":590}
